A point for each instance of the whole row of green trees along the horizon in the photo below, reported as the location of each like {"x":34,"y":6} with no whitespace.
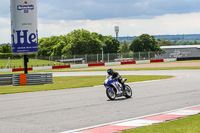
{"x":81,"y":42}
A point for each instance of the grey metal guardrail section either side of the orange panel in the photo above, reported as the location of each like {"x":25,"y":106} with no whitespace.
{"x":34,"y":79}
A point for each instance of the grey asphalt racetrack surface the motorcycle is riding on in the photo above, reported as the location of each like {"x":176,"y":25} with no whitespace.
{"x":71,"y":109}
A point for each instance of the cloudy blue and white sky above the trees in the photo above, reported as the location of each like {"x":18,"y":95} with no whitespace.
{"x":134,"y":17}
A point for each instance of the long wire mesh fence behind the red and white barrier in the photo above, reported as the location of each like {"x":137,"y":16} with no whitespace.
{"x":37,"y":61}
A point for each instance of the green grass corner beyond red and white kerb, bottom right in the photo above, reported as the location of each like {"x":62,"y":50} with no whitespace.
{"x":185,"y":125}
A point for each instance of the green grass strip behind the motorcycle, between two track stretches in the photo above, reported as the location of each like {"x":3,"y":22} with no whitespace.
{"x":73,"y":82}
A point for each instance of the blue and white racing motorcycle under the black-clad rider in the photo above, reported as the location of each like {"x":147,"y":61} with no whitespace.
{"x":114,"y":88}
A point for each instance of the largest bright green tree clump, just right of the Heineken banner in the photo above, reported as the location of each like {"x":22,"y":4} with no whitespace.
{"x":77,"y":42}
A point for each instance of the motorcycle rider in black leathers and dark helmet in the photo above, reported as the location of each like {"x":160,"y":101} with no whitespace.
{"x":116,"y":76}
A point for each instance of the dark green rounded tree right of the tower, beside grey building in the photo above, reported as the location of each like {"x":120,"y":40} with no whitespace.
{"x":145,"y":43}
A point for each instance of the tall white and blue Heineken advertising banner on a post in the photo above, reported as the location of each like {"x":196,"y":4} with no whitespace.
{"x":24,"y":33}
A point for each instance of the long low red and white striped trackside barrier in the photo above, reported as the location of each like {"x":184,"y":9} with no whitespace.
{"x":90,"y":65}
